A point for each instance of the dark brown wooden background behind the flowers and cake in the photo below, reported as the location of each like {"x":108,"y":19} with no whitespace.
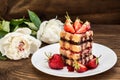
{"x":95,"y":11}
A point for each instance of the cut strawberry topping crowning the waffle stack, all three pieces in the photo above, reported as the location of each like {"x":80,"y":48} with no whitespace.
{"x":76,"y":27}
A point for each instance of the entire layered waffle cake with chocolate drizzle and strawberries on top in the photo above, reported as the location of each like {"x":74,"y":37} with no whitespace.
{"x":76,"y":42}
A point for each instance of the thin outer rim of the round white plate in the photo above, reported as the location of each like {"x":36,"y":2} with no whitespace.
{"x":115,"y":56}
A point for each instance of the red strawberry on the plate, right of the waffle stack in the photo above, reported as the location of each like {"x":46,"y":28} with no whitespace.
{"x":93,"y":63}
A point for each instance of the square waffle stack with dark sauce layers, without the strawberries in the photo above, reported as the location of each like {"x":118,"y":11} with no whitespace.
{"x":76,"y":46}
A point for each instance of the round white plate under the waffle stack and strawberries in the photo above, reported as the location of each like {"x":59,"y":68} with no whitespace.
{"x":106,"y":61}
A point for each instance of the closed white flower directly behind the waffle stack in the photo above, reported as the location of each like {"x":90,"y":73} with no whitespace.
{"x":49,"y":31}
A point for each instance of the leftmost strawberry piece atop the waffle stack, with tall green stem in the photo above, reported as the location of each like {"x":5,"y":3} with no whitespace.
{"x":68,"y":26}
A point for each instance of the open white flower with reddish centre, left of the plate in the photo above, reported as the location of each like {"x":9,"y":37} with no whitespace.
{"x":19,"y":44}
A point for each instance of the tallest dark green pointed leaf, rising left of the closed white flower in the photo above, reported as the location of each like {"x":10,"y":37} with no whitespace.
{"x":34,"y":18}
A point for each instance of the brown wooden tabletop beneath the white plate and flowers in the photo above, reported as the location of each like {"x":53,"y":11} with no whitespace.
{"x":108,"y":35}
